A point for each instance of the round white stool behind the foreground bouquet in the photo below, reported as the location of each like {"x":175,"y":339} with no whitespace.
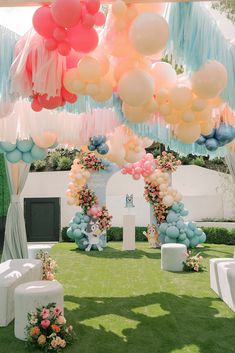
{"x":29,"y":296}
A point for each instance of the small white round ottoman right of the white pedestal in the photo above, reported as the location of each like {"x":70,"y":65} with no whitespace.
{"x":172,"y":257}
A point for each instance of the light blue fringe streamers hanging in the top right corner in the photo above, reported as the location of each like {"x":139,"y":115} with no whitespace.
{"x":196,"y":38}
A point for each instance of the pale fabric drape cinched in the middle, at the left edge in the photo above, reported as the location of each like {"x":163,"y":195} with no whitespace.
{"x":15,"y":243}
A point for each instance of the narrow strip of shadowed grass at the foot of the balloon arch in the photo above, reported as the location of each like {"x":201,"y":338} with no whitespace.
{"x":111,"y":253}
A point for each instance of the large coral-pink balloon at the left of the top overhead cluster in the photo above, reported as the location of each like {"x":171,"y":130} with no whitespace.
{"x":43,"y":22}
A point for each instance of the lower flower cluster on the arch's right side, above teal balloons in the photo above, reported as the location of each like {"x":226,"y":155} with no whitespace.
{"x":151,"y":194}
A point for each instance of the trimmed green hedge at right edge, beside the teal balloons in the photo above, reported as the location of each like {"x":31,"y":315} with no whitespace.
{"x":217,"y":235}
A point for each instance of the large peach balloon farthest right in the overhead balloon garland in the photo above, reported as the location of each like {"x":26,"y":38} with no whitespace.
{"x":210,"y":80}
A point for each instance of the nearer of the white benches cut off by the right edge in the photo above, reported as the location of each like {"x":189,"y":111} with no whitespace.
{"x":226,"y":275}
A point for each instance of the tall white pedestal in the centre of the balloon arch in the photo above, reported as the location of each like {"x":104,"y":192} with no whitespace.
{"x":128,"y":232}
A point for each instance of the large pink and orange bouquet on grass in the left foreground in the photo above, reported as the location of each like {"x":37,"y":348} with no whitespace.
{"x":47,"y":329}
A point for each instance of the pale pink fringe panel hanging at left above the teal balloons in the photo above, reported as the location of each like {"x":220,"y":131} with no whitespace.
{"x":71,"y":129}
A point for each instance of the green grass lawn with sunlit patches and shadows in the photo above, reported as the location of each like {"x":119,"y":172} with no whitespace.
{"x":121,"y":302}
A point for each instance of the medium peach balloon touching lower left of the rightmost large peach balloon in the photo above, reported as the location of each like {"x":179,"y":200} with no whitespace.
{"x":181,"y":97}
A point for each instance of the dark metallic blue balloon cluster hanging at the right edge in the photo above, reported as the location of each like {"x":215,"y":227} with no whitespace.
{"x":220,"y":136}
